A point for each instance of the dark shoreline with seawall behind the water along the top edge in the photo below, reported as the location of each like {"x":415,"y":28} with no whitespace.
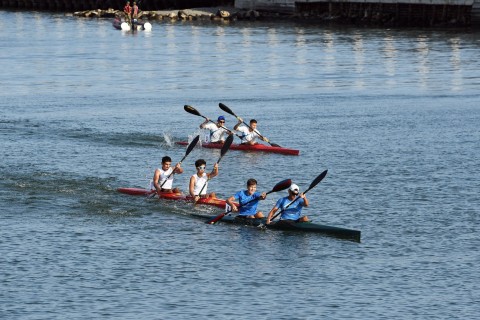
{"x":385,"y":13}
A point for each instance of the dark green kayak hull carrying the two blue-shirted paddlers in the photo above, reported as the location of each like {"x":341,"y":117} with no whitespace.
{"x":309,"y":227}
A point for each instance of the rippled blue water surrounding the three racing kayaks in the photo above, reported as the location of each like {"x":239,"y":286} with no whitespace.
{"x":85,"y":109}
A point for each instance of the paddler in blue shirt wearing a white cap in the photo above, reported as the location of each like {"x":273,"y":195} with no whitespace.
{"x":294,"y":210}
